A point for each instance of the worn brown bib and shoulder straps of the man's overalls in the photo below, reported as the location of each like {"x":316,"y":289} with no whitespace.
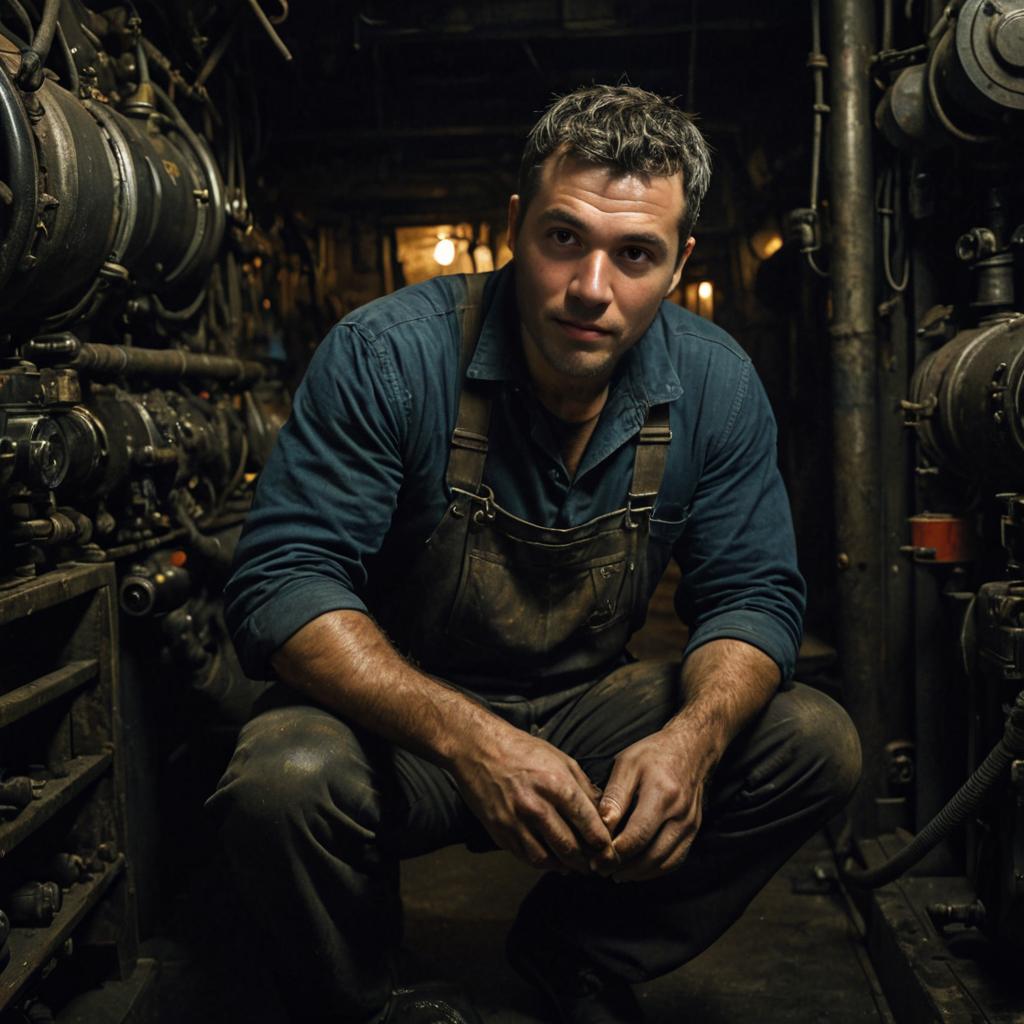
{"x":492,"y":595}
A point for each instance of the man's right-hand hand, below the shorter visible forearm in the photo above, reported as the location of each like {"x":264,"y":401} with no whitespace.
{"x":655,"y":797}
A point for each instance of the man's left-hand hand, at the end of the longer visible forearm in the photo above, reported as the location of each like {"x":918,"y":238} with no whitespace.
{"x":535,"y":801}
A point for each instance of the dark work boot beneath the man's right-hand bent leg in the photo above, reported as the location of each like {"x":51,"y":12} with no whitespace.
{"x":579,"y":992}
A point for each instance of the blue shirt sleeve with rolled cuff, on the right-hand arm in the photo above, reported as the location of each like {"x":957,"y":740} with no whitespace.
{"x":738,"y":553}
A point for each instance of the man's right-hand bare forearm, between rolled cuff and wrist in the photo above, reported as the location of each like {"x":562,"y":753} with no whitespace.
{"x":724,"y":685}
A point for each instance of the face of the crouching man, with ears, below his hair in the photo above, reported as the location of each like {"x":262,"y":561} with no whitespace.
{"x":595,"y":254}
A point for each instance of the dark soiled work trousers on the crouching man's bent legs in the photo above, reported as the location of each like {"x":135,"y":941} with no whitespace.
{"x":315,"y":819}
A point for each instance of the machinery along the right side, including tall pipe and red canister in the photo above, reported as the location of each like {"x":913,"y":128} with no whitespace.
{"x":923,"y":235}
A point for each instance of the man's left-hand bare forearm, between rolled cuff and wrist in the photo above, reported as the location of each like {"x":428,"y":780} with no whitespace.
{"x":345,"y":662}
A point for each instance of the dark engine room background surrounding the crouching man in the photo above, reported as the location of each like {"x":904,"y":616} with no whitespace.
{"x":193,"y":194}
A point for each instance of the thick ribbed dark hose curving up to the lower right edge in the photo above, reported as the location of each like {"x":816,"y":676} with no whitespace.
{"x":957,"y":810}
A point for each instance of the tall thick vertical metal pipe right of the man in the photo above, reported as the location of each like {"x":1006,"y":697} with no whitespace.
{"x":856,"y":391}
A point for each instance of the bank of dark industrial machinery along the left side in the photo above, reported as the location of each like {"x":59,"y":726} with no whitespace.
{"x":137,"y":408}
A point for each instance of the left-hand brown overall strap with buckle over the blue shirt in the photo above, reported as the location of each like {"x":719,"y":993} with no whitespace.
{"x":470,"y":440}
